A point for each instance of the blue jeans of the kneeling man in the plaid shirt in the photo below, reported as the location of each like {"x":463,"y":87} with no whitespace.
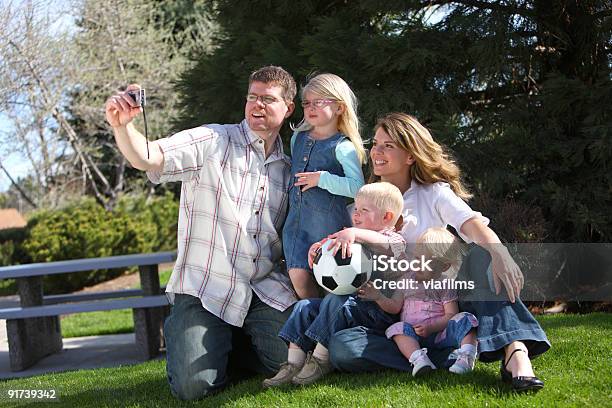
{"x":199,"y":345}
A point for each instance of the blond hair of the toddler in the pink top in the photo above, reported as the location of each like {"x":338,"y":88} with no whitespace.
{"x":438,"y":243}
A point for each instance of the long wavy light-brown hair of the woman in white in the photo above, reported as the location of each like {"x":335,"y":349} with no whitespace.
{"x":432,"y":162}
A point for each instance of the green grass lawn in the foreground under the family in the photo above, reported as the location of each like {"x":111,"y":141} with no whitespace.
{"x":577,"y":371}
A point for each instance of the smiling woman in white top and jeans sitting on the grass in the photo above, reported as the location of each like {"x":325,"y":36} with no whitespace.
{"x":405,"y":154}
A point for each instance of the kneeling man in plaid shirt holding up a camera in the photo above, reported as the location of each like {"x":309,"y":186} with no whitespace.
{"x":232,"y":208}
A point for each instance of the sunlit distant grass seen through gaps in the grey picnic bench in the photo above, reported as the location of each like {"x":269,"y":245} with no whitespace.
{"x":98,"y":323}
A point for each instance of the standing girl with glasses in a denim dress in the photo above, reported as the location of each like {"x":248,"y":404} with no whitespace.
{"x":327,"y":153}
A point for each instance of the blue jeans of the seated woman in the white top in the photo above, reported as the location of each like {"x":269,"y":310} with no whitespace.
{"x":499,"y":324}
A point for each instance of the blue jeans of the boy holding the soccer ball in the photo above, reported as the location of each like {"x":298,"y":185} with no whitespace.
{"x":316,"y":320}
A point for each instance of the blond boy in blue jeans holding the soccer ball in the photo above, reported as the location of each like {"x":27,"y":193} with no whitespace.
{"x":377,"y":209}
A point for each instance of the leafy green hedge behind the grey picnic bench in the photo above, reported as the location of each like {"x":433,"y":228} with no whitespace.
{"x":86,"y":230}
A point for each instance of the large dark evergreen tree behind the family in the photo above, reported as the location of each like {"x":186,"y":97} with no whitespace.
{"x":518,"y":89}
